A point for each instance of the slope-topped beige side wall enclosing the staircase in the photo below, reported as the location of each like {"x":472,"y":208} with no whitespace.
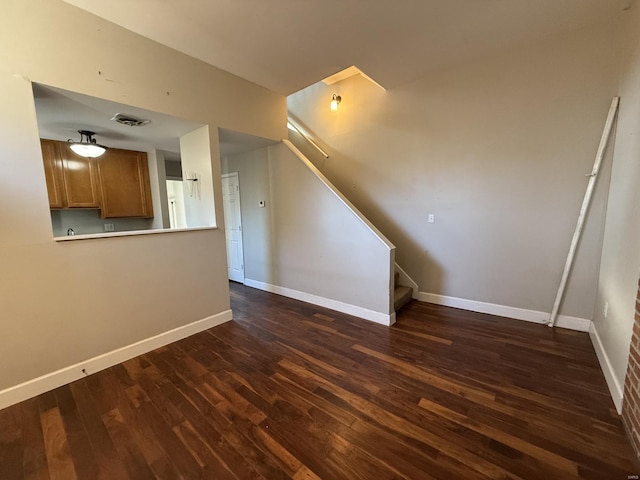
{"x":320,"y":246}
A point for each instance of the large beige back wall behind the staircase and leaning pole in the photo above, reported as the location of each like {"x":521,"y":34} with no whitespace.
{"x":497,"y":150}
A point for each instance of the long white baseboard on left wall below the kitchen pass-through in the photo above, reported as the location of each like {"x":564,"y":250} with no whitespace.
{"x":31,"y":388}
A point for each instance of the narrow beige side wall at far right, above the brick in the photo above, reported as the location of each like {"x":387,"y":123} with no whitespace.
{"x":621,"y":249}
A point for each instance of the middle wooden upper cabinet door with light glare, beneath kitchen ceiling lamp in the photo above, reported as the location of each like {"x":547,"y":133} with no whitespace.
{"x":80,"y":179}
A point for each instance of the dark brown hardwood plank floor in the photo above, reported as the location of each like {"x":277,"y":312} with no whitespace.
{"x":290,"y":390}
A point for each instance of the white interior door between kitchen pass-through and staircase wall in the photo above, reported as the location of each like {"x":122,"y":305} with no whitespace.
{"x":233,"y":226}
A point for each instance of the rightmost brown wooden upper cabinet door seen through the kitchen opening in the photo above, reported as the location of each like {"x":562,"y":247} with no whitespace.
{"x":124,"y":184}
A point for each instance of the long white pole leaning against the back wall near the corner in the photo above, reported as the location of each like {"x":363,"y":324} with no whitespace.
{"x":585,"y":205}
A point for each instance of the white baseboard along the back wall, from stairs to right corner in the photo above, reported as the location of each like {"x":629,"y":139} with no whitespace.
{"x":564,"y":321}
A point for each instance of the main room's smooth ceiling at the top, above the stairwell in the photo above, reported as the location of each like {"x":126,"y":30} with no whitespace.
{"x":286,"y":45}
